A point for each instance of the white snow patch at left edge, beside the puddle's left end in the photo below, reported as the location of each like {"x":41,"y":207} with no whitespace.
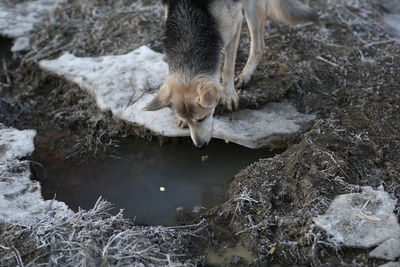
{"x":21,"y":201}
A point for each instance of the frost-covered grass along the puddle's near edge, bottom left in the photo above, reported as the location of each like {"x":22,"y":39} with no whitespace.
{"x":97,"y":238}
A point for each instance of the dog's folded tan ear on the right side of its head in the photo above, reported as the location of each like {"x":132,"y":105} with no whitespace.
{"x":209,"y":94}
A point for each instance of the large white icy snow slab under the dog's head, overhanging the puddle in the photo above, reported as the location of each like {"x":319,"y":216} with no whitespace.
{"x":125,"y":84}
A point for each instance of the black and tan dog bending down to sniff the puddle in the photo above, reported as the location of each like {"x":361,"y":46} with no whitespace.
{"x":201,"y":42}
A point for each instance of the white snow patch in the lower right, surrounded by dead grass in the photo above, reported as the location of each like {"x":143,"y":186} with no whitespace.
{"x":363,"y":220}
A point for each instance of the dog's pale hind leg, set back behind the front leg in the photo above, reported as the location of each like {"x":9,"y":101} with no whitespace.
{"x":256,"y":14}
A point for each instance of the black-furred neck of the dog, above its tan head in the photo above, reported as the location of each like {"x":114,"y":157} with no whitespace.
{"x":193,"y":43}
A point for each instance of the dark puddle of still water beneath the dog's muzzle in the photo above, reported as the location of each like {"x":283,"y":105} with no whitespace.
{"x":150,"y":182}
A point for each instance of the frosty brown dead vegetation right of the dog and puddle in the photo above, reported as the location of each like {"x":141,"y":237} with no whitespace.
{"x":346,"y":69}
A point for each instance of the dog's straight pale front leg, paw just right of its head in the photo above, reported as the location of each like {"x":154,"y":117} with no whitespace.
{"x":230,"y":98}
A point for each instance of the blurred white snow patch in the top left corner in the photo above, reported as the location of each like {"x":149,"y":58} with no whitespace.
{"x":18,"y":20}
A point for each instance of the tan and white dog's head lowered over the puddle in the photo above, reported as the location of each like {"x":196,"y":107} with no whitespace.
{"x":193,"y":103}
